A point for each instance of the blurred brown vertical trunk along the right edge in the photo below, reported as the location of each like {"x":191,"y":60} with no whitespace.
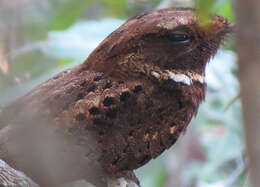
{"x":248,"y":49}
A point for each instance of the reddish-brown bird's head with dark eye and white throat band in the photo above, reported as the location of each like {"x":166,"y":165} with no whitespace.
{"x":166,"y":44}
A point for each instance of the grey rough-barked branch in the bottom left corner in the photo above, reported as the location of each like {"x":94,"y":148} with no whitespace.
{"x":10,"y":177}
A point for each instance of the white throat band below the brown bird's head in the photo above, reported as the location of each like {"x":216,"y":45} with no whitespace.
{"x":186,"y":78}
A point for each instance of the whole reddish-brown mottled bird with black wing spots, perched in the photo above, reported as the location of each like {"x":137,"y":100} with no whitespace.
{"x":128,"y":102}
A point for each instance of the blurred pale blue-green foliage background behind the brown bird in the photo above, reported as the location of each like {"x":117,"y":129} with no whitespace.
{"x":40,"y":38}
